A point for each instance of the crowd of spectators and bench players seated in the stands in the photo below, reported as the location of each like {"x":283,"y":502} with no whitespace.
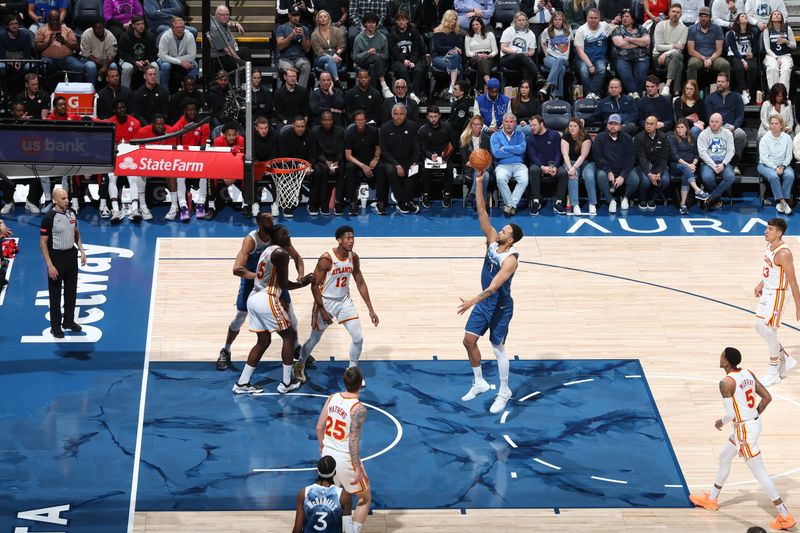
{"x":665,"y":88}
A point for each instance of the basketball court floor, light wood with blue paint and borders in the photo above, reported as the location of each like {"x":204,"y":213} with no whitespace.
{"x":615,"y":342}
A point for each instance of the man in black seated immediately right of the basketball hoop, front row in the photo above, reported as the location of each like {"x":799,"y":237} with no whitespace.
{"x":329,"y":147}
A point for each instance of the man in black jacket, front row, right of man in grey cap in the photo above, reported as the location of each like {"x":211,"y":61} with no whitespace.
{"x":652,"y":157}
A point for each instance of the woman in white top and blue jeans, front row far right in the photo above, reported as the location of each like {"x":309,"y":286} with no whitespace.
{"x":774,"y":163}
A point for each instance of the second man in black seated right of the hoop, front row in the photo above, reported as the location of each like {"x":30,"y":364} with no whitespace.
{"x":362,"y":151}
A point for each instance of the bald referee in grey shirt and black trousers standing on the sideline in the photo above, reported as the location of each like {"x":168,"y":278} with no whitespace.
{"x":58,"y":237}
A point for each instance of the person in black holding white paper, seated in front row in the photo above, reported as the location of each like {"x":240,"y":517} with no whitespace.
{"x":436,"y":144}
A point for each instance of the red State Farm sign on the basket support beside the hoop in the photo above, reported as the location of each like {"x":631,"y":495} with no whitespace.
{"x":157,"y":161}
